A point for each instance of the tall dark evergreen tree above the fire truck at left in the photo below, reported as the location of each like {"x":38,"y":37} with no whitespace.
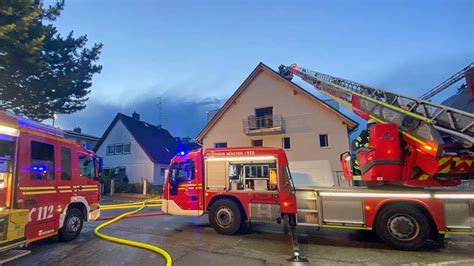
{"x":41,"y":72}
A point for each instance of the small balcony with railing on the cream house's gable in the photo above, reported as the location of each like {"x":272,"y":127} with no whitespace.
{"x":263,"y":125}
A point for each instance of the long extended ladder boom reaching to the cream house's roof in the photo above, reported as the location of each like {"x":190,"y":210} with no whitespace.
{"x":449,"y":121}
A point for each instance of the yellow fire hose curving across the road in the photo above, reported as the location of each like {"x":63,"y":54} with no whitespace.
{"x":140,"y":206}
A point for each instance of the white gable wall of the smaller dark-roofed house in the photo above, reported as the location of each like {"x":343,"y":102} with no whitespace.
{"x":138,"y":164}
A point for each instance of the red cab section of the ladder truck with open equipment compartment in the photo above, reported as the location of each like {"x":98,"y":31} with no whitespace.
{"x":234,"y":185}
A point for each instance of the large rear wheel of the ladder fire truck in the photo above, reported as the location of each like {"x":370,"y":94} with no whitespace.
{"x":403,"y":227}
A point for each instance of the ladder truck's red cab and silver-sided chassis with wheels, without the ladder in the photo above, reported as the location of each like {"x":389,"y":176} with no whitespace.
{"x":236,"y":186}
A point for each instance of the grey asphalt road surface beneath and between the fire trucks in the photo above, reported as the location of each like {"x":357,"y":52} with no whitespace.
{"x":191,"y":241}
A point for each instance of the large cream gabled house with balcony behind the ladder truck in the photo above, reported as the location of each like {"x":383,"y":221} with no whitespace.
{"x":268,"y":110}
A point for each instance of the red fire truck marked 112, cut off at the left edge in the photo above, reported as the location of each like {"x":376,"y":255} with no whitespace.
{"x":48,"y":185}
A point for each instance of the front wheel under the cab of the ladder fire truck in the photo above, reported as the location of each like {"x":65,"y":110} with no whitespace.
{"x":225,"y":217}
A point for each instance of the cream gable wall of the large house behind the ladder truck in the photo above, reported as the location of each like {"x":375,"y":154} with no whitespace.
{"x":304,"y":120}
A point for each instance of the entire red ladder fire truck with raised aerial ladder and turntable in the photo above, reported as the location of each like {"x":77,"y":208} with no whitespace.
{"x":415,"y":151}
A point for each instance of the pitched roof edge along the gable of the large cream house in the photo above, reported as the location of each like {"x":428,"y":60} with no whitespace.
{"x":352,"y":125}
